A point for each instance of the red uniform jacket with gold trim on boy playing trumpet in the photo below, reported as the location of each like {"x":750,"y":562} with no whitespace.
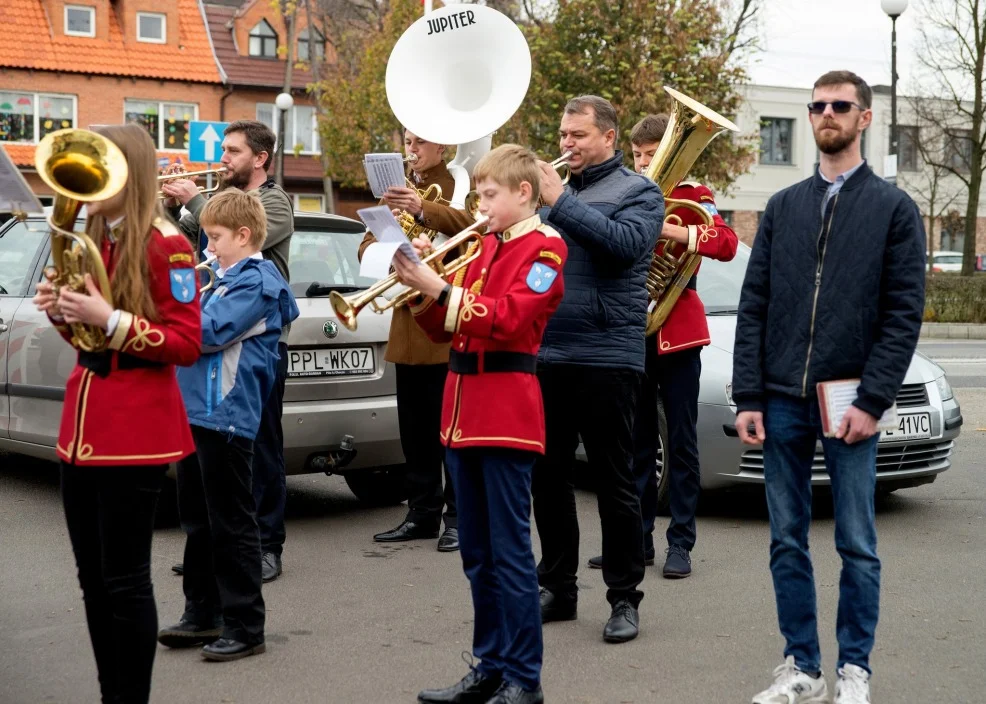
{"x":502,"y":304}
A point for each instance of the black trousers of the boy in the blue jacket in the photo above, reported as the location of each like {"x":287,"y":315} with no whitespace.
{"x":222,"y":577}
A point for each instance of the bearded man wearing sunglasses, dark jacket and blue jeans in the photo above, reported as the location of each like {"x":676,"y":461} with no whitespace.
{"x":834,"y":290}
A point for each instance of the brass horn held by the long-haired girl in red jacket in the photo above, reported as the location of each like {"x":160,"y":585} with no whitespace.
{"x":79,"y":166}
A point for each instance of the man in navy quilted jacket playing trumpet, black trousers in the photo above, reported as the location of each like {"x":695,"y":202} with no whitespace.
{"x":591,"y":362}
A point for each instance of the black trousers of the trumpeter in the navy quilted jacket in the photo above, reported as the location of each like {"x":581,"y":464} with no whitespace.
{"x":599,"y":404}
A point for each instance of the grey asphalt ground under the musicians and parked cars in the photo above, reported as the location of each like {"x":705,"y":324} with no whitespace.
{"x":351,"y":621}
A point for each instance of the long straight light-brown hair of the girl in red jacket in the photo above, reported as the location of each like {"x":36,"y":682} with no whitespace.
{"x":130,"y":287}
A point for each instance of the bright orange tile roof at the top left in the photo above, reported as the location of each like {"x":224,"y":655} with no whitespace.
{"x":29,"y":42}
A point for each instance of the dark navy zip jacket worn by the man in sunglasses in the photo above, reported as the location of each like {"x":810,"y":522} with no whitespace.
{"x":865,"y":264}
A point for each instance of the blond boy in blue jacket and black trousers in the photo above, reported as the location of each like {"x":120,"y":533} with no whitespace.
{"x":224,"y":391}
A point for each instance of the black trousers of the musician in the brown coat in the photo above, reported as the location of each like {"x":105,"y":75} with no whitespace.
{"x":419,"y":414}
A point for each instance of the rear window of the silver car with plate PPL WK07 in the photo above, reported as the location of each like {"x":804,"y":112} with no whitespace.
{"x":327,"y":258}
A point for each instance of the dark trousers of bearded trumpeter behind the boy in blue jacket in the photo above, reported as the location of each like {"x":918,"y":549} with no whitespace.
{"x":269,"y":485}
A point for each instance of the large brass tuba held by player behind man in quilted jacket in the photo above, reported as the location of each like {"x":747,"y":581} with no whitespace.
{"x":691,"y":127}
